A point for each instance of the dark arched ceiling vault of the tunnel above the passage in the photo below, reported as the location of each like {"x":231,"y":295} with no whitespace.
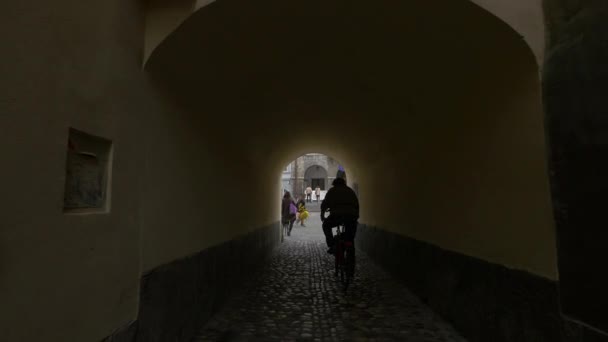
{"x":387,"y":67}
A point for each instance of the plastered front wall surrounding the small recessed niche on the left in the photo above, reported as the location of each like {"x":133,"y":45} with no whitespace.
{"x":67,"y":64}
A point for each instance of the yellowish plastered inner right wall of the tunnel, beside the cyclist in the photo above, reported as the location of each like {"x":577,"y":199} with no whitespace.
{"x":475,"y":180}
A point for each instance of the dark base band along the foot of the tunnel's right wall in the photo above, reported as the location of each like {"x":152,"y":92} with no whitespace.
{"x":484,"y":301}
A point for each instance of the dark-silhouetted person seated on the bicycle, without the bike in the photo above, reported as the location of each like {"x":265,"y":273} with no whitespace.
{"x":343,"y":206}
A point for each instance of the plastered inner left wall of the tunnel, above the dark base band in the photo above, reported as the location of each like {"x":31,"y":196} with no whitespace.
{"x":201,"y":188}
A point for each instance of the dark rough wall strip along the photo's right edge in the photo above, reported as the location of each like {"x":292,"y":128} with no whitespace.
{"x":575,"y":83}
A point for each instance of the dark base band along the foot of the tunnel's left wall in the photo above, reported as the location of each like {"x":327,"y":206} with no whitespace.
{"x":177,"y":298}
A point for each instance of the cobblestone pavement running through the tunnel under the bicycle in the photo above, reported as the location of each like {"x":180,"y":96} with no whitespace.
{"x":297,"y":298}
